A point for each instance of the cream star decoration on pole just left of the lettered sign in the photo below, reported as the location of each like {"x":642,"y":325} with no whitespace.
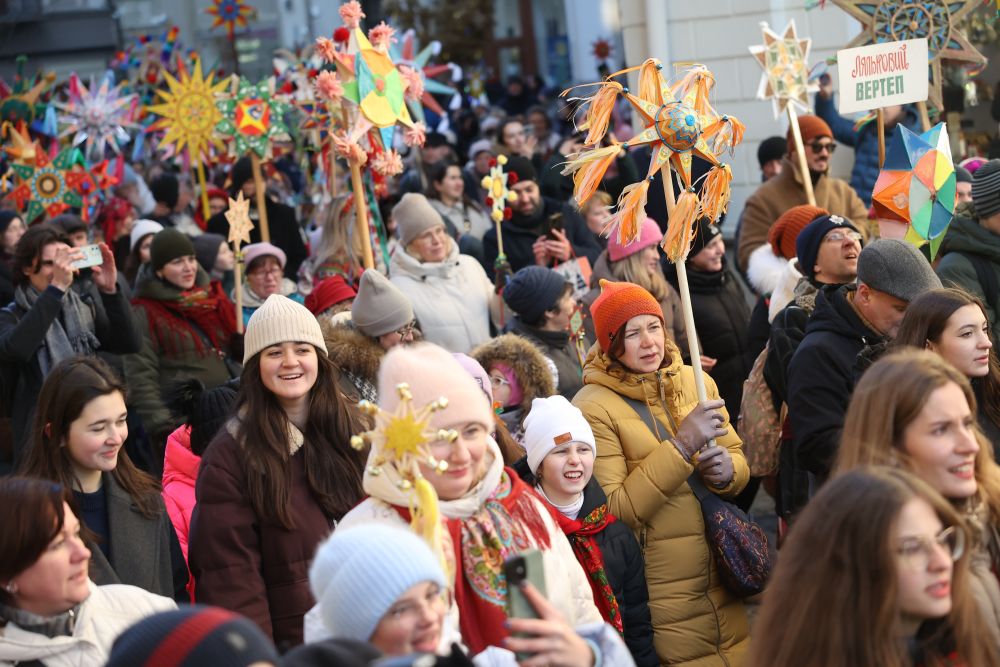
{"x":786,"y":70}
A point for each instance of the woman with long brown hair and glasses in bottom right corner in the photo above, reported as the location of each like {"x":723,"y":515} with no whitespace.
{"x":891,"y":585}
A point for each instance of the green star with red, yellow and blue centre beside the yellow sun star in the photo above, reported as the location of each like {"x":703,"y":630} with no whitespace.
{"x":253,"y":116}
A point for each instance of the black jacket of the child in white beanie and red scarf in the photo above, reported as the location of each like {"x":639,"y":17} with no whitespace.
{"x":624,"y":566}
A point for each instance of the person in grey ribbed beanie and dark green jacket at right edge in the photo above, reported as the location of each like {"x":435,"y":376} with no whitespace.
{"x":970,"y":254}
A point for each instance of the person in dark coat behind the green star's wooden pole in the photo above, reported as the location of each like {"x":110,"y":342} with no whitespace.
{"x":284,"y":228}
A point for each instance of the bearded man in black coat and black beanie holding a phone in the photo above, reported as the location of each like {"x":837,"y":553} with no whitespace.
{"x":531,"y":237}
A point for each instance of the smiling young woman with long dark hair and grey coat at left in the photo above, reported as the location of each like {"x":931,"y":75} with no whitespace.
{"x":80,"y":427}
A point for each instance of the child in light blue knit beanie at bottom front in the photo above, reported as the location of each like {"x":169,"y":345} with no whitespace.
{"x":381,"y":585}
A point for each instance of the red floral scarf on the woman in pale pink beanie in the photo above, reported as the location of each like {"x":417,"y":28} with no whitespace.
{"x":508,"y":523}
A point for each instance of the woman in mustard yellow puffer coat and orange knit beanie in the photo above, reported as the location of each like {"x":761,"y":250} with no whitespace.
{"x":696,"y":621}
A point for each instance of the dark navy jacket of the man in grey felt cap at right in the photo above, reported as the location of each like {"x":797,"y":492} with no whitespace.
{"x":821,"y":379}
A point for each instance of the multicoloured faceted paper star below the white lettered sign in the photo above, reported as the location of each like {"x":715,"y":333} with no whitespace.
{"x":917,"y":185}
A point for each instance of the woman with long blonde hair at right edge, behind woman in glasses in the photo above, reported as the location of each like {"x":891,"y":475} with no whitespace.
{"x":915,"y":411}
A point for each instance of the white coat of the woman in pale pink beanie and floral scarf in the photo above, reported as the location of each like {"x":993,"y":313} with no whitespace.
{"x":566,"y":583}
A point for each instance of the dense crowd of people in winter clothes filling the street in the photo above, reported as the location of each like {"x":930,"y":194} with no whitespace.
{"x":182,"y":482}
